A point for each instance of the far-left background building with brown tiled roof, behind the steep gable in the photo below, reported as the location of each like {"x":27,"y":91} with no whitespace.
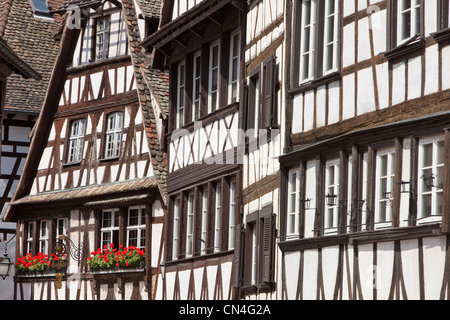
{"x":30,"y":33}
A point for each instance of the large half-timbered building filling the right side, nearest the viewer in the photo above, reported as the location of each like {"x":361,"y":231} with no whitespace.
{"x":365,"y":178}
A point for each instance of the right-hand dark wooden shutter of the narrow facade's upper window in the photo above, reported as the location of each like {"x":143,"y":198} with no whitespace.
{"x":268,"y":91}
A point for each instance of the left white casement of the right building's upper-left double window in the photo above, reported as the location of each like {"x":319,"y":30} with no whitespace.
{"x":308,"y":48}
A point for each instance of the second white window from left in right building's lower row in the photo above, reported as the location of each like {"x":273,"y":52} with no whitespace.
{"x":332,"y":196}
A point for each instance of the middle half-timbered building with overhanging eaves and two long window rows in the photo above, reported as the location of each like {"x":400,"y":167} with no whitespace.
{"x":202,"y":44}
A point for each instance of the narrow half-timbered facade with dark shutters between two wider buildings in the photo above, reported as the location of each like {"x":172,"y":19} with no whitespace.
{"x":255,"y":249}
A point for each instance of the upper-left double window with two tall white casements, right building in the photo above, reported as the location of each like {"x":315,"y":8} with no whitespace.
{"x":319,"y":25}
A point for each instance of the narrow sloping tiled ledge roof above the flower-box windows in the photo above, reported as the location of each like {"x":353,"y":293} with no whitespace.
{"x":89,"y":192}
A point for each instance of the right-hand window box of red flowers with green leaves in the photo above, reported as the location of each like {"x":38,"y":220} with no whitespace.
{"x":111,"y":258}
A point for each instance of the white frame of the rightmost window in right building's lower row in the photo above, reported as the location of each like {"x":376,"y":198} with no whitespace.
{"x":436,"y":192}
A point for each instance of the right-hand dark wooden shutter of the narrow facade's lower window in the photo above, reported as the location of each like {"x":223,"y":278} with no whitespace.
{"x":267,"y":241}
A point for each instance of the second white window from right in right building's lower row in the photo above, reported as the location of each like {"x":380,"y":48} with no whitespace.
{"x":385,"y":180}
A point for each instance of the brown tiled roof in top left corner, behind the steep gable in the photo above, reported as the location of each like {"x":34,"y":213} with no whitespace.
{"x":32,"y":39}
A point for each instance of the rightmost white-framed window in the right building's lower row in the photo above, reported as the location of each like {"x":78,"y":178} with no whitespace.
{"x":431,"y":169}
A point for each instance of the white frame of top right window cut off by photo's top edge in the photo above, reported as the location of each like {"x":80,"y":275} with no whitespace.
{"x":413,"y":12}
